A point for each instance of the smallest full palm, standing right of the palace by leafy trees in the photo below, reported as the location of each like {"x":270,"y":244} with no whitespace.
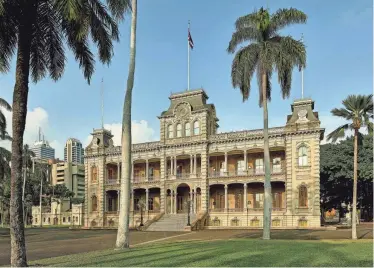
{"x":358,"y":109}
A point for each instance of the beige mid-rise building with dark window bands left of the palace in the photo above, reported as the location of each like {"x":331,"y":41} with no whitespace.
{"x":70,"y":174}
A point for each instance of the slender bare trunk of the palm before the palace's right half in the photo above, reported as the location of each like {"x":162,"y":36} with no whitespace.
{"x":267,"y":185}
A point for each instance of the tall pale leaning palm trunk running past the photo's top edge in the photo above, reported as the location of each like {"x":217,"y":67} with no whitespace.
{"x":124,"y":215}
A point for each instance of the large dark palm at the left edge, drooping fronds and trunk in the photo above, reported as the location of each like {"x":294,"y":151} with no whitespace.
{"x":38,"y":30}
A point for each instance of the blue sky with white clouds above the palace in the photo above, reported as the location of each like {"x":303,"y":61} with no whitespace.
{"x":338,"y":36}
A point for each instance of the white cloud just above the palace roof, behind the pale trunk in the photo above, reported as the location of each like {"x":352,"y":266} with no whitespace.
{"x":141,"y":132}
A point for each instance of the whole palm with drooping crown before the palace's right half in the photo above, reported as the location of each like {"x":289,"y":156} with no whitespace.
{"x":266,"y":52}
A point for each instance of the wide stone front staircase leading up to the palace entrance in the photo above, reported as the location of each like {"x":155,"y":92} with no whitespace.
{"x":171,"y":222}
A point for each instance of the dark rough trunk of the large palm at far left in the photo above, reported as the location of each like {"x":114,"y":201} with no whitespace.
{"x":20,"y":96}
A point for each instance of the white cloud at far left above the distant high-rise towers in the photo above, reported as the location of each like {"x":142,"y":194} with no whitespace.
{"x":38,"y":117}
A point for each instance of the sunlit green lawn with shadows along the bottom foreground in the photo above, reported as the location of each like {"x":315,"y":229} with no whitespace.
{"x":236,"y":252}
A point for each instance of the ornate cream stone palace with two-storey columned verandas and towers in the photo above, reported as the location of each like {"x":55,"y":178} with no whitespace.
{"x":218,"y":177}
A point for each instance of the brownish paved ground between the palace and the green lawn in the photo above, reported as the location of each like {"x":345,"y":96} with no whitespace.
{"x":53,"y":242}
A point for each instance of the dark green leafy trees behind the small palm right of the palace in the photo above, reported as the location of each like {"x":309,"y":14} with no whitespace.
{"x":337,"y":173}
